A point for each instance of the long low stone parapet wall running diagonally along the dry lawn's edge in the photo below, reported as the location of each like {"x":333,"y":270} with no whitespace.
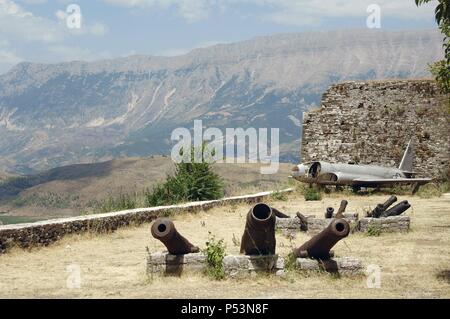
{"x":46,"y":232}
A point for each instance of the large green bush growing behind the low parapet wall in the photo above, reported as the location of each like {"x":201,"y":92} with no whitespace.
{"x":191,"y":182}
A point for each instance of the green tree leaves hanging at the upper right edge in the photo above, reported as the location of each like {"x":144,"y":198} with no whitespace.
{"x":441,"y":69}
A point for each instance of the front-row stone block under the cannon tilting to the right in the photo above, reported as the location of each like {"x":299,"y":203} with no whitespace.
{"x":341,"y":266}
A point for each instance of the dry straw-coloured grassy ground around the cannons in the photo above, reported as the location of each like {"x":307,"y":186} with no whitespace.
{"x":414,"y":264}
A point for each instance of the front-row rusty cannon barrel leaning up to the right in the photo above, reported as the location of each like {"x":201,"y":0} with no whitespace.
{"x":320,"y":245}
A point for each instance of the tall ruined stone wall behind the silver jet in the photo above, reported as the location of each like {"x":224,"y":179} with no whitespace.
{"x":371,"y":122}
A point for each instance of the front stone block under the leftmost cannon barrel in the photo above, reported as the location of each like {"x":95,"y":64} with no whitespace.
{"x":167,"y":264}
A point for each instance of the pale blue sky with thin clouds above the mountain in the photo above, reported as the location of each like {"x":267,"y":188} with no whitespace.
{"x":37,"y":30}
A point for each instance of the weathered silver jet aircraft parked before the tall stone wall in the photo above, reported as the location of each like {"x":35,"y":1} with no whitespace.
{"x":357,"y":176}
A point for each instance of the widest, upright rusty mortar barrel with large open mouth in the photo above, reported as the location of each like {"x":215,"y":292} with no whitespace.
{"x":259,"y":232}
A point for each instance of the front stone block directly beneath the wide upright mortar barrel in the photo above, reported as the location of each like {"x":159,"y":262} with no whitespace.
{"x":241,"y":265}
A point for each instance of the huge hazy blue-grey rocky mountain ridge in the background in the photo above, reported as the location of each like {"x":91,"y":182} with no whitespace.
{"x":77,"y":112}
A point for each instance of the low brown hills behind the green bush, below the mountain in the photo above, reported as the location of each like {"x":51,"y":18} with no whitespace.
{"x":71,"y":189}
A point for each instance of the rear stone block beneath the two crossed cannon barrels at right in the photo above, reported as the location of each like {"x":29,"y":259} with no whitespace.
{"x":387,"y":224}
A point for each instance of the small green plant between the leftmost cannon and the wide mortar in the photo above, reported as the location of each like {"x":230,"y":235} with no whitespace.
{"x":215,"y":252}
